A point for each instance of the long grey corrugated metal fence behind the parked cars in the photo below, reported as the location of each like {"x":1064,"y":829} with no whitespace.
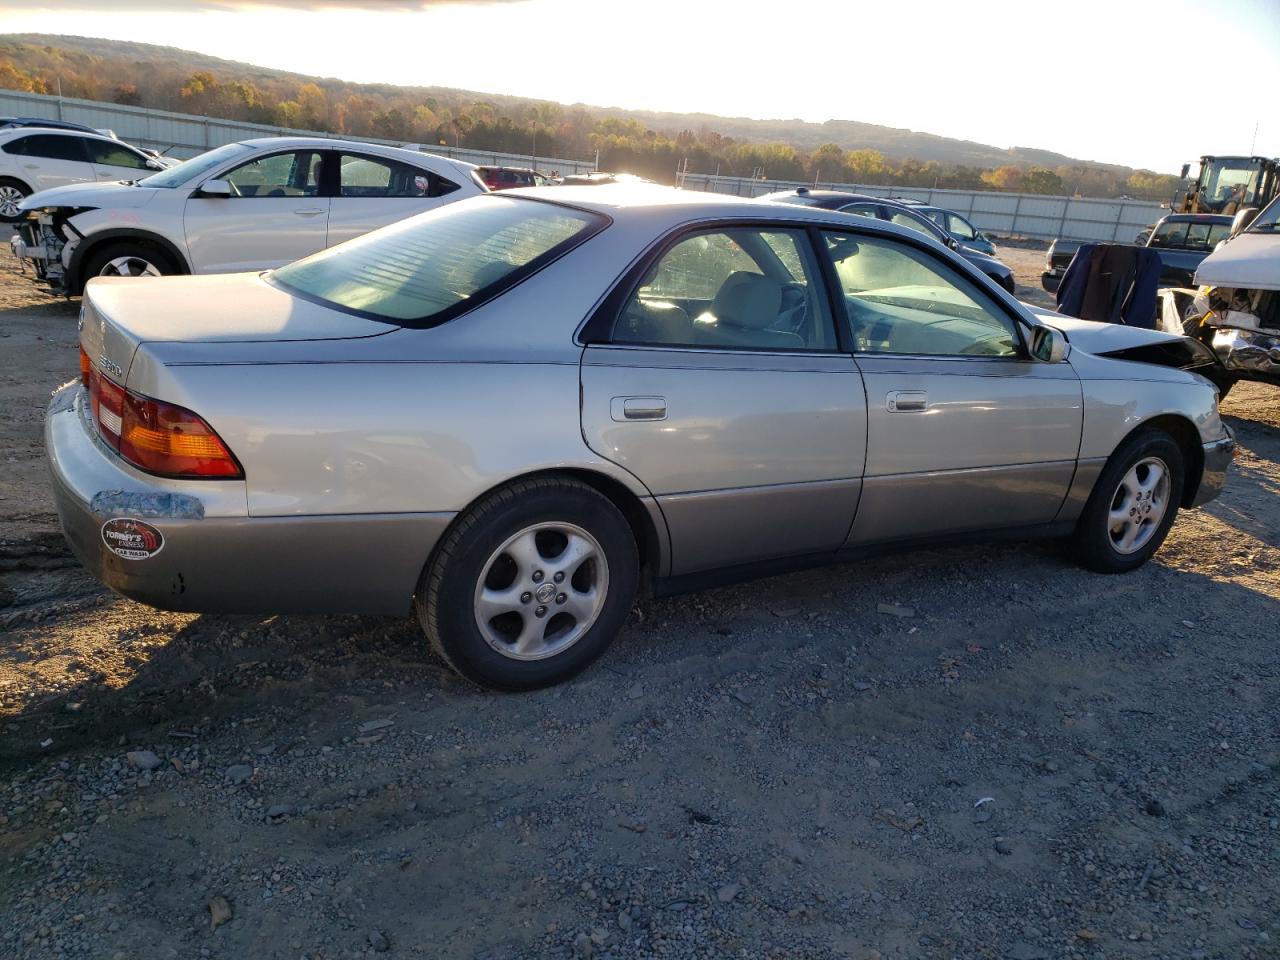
{"x":1003,"y":214}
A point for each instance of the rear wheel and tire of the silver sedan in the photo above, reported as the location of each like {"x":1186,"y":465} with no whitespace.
{"x":531,"y":586}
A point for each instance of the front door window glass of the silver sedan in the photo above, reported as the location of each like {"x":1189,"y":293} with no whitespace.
{"x":900,"y":300}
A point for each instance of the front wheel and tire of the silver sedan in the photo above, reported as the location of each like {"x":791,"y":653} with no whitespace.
{"x":1131,"y":510}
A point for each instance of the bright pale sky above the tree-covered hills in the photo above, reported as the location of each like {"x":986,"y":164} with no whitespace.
{"x":1148,"y":84}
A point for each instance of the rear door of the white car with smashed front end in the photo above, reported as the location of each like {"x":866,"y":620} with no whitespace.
{"x":374,"y":191}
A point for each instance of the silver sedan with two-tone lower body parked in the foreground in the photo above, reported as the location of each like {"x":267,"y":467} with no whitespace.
{"x":514,"y":413}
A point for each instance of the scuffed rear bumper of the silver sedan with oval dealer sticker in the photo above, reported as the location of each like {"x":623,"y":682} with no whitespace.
{"x":358,"y":564}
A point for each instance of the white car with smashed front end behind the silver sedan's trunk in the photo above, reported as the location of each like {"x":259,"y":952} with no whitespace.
{"x":254,"y":205}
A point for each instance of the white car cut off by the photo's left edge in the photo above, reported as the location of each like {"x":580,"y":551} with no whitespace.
{"x":36,"y":158}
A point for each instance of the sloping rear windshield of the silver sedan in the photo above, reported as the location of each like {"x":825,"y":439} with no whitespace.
{"x":433,"y":267}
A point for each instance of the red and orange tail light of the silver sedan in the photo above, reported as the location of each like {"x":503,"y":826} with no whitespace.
{"x":157,"y":437}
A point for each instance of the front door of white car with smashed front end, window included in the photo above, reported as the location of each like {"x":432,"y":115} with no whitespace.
{"x":276,"y":216}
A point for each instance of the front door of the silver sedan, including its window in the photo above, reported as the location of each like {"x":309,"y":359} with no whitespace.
{"x":964,"y":431}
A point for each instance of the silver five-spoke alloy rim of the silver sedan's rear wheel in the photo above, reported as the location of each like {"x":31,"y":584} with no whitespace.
{"x":542,"y":591}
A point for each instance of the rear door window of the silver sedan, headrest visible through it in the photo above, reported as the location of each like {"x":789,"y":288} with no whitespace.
{"x":733,"y":289}
